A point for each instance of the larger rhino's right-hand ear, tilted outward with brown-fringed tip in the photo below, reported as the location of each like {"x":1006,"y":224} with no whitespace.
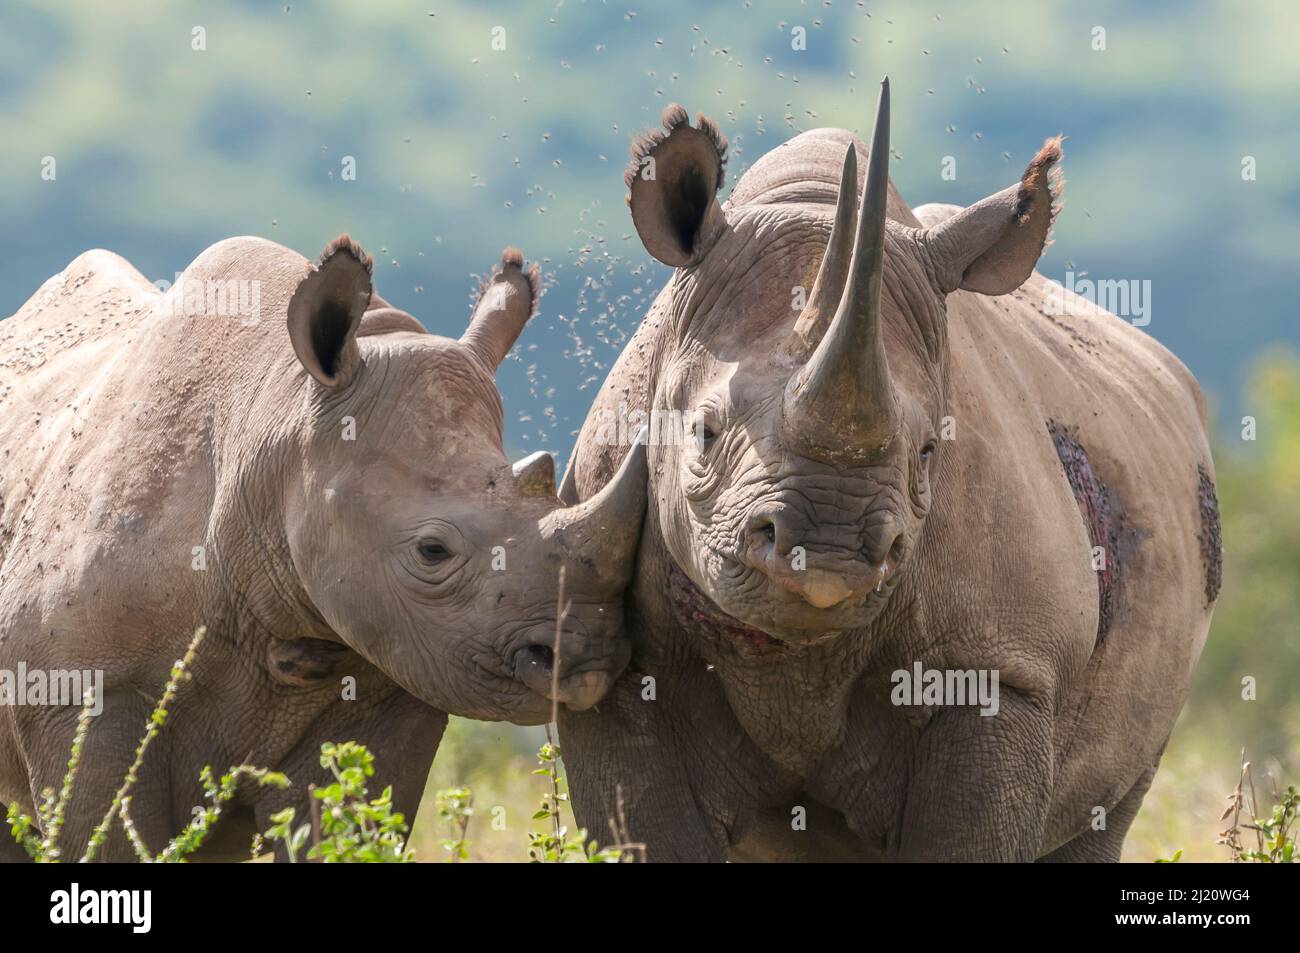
{"x":994,"y":246}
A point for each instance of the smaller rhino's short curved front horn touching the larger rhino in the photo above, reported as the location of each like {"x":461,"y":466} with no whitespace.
{"x":605,"y":530}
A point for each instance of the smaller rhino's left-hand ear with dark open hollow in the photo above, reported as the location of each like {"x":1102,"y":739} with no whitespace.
{"x":327,"y":309}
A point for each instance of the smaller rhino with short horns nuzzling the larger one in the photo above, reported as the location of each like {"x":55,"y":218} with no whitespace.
{"x":322,"y":484}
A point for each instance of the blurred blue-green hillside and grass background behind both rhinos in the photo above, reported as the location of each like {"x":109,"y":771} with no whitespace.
{"x":461,"y":149}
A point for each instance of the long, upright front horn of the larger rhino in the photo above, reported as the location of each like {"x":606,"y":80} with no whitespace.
{"x":842,"y":402}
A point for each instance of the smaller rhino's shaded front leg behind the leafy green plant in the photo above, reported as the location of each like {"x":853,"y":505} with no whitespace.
{"x":402,"y":734}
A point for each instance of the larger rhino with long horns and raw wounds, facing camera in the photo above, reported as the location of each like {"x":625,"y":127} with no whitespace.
{"x":816,"y":545}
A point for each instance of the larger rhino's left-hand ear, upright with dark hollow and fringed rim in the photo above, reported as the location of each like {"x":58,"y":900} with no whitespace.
{"x":673,"y":188}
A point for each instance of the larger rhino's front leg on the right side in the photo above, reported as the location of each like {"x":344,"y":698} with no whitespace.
{"x":981,"y":785}
